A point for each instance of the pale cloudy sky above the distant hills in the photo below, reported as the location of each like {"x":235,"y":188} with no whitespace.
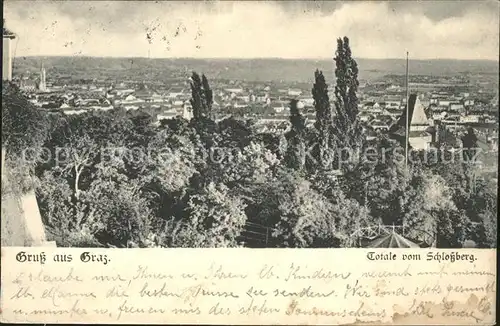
{"x":287,"y":29}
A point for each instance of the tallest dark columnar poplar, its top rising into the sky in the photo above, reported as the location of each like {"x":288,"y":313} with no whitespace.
{"x":347,"y":129}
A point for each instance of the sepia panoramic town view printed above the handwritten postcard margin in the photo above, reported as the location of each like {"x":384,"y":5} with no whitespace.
{"x":250,"y":124}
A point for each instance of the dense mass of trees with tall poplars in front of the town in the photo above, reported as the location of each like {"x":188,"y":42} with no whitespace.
{"x":115,"y":179}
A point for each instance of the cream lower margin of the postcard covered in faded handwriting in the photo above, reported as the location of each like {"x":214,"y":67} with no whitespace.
{"x":165,"y":285}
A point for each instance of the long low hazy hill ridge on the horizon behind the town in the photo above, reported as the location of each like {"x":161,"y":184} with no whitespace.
{"x":252,"y":69}
